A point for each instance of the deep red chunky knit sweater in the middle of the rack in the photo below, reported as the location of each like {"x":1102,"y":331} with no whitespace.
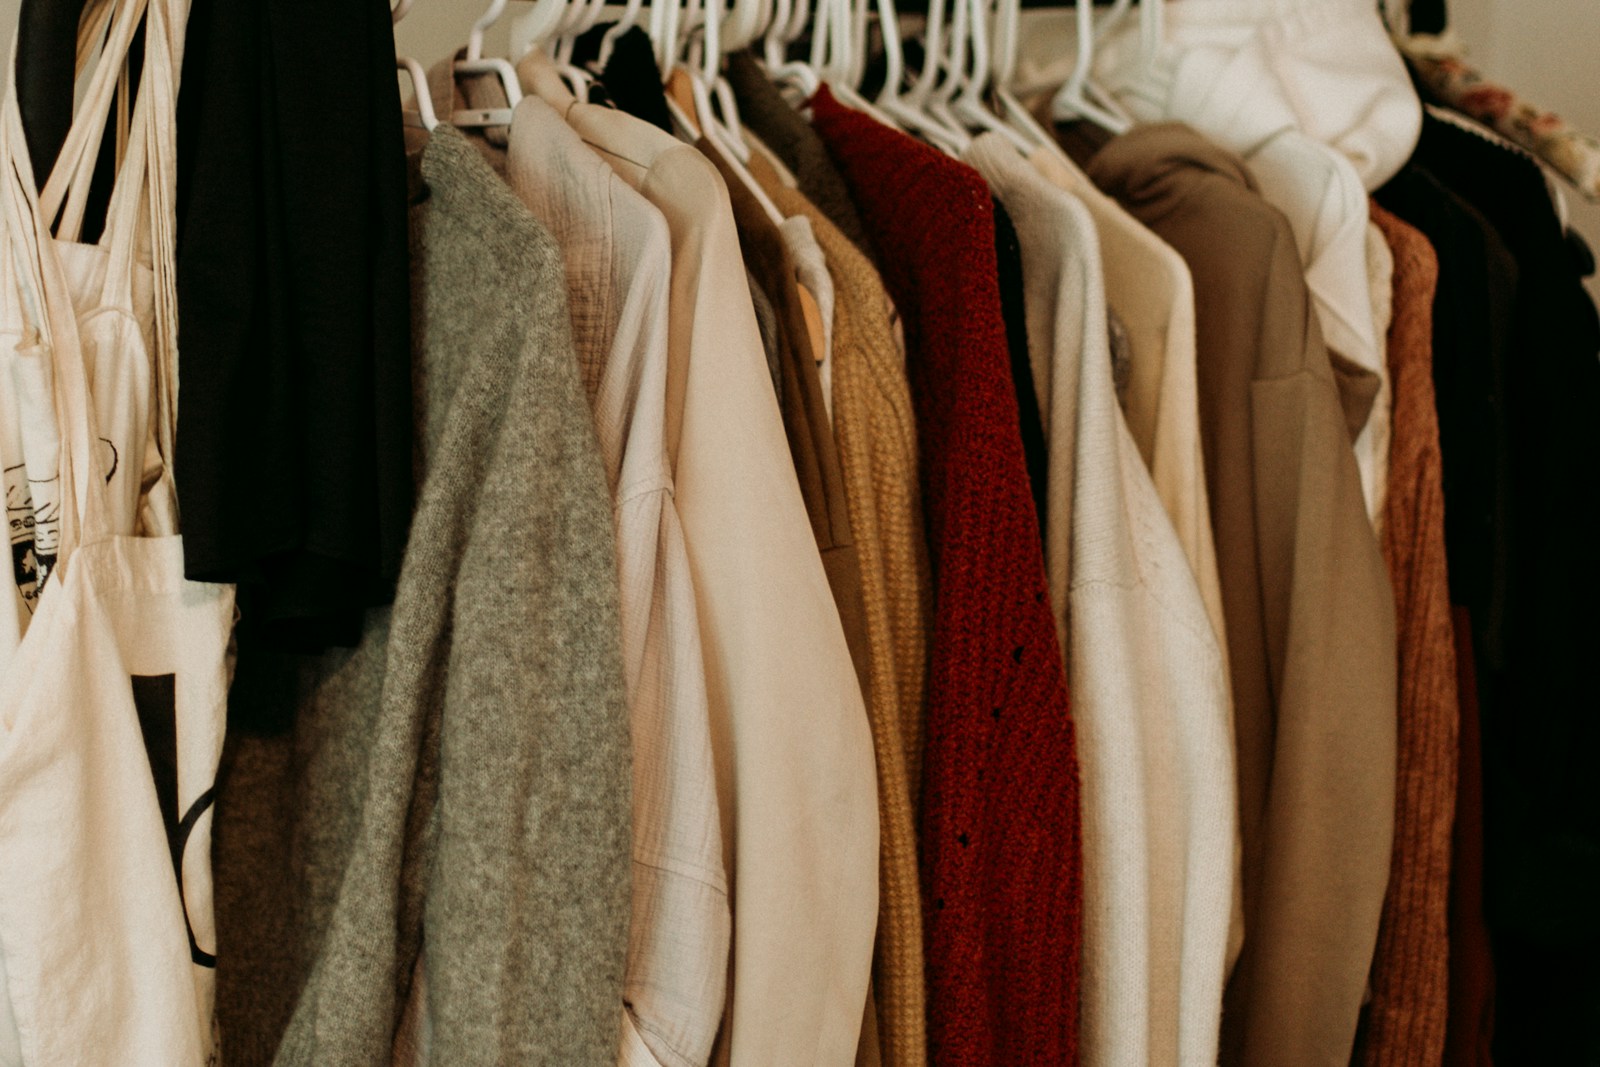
{"x":1001,"y":865}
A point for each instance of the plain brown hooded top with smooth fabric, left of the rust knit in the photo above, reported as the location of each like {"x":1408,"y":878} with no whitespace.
{"x":1311,"y":613}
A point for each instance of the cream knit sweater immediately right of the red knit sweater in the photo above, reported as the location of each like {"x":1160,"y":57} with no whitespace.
{"x":1150,"y":685}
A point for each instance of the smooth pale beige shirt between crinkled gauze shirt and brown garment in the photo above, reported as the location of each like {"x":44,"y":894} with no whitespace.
{"x":798,"y":786}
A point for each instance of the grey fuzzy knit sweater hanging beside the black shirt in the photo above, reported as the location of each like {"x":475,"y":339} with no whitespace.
{"x":460,"y":785}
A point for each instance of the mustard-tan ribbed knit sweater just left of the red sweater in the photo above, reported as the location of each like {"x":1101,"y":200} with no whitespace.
{"x":878,"y":447}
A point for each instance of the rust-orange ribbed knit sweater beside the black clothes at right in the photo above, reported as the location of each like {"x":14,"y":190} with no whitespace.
{"x":1406,"y":1020}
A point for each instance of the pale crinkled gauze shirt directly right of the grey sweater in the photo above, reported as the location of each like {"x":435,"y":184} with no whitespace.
{"x":618,"y":260}
